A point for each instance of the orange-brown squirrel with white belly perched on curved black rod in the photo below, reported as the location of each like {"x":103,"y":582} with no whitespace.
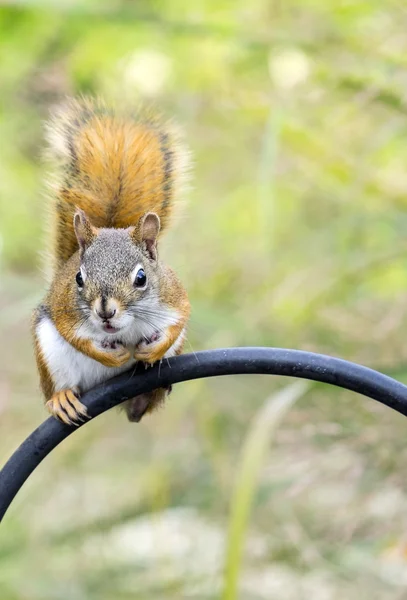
{"x":111,"y":302}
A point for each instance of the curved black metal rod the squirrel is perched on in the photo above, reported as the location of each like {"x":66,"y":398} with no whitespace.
{"x":231,"y":361}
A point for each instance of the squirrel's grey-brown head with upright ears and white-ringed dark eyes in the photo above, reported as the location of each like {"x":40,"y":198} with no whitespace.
{"x":118,"y":280}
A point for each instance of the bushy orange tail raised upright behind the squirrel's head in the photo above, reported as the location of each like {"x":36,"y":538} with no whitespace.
{"x":113,"y":165}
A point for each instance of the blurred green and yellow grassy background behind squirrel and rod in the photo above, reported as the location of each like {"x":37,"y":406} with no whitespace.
{"x":293,"y":235}
